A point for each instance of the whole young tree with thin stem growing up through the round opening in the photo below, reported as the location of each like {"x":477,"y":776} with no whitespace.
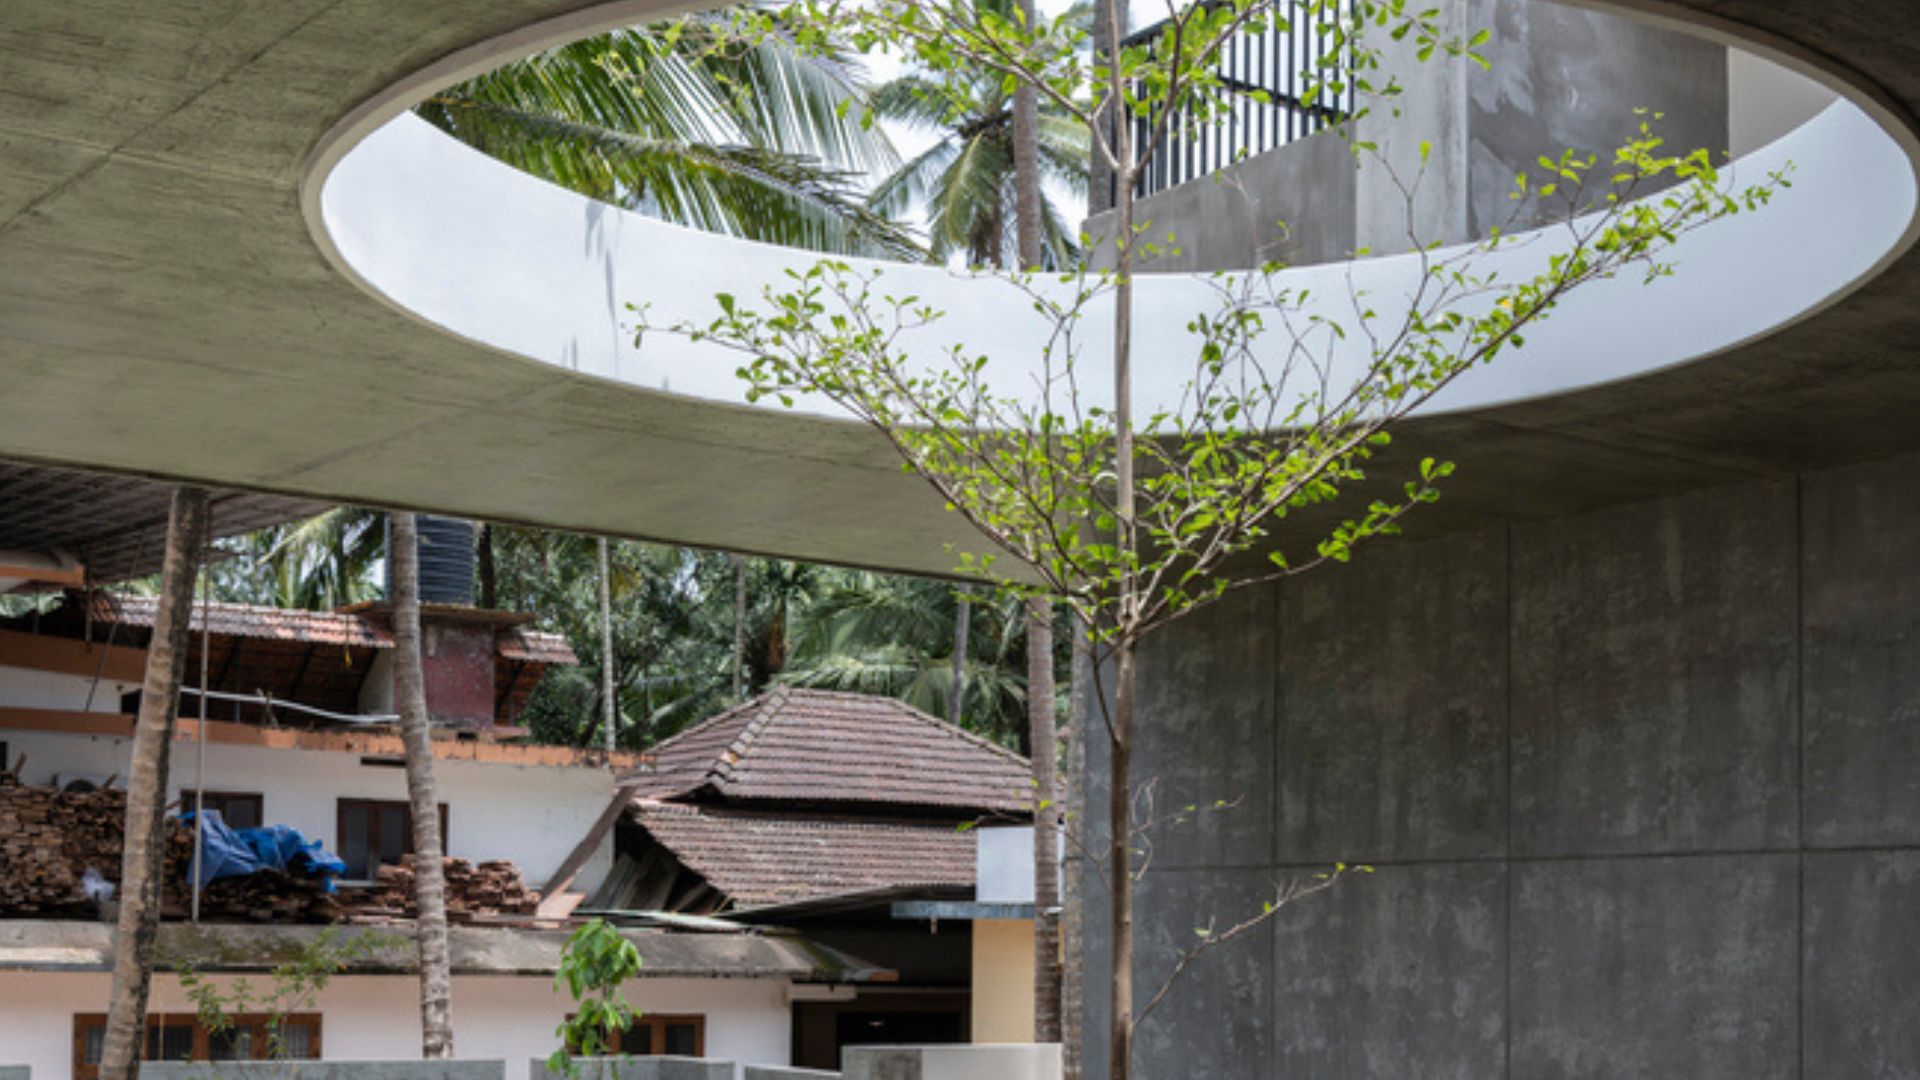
{"x":1138,"y":520}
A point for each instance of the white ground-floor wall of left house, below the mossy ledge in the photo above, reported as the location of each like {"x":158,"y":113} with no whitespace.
{"x":377,"y":1018}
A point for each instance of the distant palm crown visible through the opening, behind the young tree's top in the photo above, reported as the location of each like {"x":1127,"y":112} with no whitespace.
{"x":967,"y":182}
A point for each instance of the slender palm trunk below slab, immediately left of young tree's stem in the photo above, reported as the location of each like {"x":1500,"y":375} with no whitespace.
{"x":1045,"y":822}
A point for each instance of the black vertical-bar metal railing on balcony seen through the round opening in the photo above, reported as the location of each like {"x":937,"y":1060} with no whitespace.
{"x":1278,"y":62}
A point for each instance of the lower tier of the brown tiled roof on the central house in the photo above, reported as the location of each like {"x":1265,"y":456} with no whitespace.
{"x":761,"y":860}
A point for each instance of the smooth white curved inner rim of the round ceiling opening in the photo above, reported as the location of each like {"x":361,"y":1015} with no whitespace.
{"x":527,"y":268}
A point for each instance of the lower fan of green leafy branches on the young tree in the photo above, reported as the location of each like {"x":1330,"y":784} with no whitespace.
{"x":1270,"y":426}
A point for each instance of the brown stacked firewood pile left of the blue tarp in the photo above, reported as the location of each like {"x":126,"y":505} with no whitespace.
{"x":51,"y":839}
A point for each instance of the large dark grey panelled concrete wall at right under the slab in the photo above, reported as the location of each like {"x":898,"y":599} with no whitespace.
{"x":1641,"y":787}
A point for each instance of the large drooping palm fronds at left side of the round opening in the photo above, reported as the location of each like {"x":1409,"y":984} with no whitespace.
{"x":688,"y":124}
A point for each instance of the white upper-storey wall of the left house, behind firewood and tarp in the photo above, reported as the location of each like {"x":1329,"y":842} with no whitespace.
{"x":533,"y":816}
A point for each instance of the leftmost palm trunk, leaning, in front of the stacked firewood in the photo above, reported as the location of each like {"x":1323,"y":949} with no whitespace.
{"x":143,"y":858}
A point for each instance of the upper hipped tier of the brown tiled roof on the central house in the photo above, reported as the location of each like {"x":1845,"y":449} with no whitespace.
{"x":840,"y":749}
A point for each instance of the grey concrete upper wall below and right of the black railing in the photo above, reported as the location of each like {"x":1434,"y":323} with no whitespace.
{"x":1562,"y":80}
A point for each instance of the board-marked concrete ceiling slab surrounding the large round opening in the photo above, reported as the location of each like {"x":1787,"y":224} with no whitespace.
{"x":164,"y":310}
